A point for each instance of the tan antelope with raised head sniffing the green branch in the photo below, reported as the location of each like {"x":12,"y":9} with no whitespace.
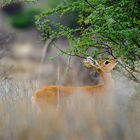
{"x":103,"y":67}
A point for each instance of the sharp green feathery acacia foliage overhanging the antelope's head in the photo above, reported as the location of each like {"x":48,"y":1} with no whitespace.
{"x":104,"y":28}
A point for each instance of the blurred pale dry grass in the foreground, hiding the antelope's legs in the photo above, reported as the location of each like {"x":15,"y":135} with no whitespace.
{"x":80,"y":119}
